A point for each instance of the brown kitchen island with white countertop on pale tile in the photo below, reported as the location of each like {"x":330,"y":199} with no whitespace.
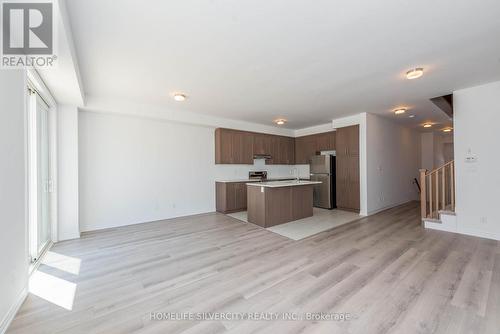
{"x":279,"y":202}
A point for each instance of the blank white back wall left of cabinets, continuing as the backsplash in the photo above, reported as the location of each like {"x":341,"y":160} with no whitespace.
{"x":135,"y":170}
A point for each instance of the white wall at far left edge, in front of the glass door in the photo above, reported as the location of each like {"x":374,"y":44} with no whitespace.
{"x":14,"y":260}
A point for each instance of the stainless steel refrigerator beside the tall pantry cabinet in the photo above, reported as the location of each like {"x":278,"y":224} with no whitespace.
{"x":322,"y":168}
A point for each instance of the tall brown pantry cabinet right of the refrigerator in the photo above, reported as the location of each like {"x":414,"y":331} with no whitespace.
{"x":347,"y":168}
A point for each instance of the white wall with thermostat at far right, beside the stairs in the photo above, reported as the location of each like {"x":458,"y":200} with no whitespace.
{"x":476,"y":119}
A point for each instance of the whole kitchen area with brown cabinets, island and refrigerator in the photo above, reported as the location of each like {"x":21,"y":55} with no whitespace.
{"x":324,"y":180}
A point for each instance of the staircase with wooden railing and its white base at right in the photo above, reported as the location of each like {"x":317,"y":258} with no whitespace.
{"x":437,"y":198}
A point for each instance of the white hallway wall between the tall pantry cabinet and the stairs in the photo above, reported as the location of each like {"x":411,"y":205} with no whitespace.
{"x":393,"y":161}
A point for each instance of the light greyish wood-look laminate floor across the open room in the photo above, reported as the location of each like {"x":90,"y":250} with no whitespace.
{"x":386,"y":271}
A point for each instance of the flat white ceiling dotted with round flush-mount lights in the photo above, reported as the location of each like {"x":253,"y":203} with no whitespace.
{"x":307,"y":61}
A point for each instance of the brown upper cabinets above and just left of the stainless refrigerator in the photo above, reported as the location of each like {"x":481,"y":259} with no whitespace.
{"x":308,"y":146}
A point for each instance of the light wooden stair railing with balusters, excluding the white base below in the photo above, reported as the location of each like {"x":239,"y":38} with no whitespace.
{"x":437,"y":190}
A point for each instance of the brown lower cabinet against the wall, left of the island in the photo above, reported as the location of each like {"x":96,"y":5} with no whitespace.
{"x":230,"y":196}
